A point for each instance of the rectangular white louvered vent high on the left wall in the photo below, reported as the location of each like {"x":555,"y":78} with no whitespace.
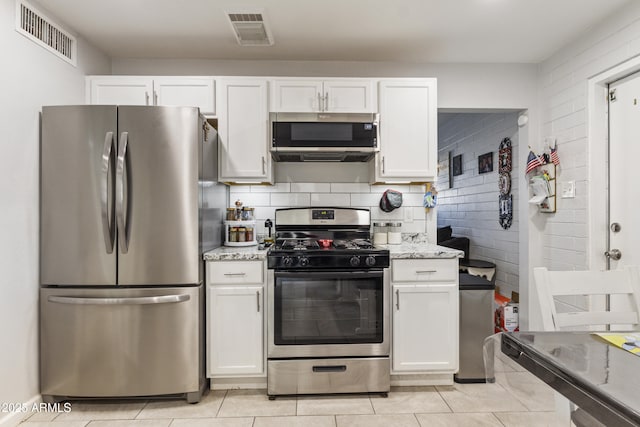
{"x":37,"y":27}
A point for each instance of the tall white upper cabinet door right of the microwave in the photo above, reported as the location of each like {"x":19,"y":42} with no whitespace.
{"x":408,"y":131}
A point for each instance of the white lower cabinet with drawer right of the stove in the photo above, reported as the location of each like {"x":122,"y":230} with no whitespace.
{"x":424,"y":317}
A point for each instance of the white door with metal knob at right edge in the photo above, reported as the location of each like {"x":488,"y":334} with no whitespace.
{"x":624,"y":174}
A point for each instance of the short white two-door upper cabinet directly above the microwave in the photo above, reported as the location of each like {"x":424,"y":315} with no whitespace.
{"x":330,"y":96}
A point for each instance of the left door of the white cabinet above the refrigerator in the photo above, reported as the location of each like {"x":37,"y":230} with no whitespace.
{"x":120,"y":90}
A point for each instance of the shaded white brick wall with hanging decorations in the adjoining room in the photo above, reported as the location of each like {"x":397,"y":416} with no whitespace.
{"x":471,"y":206}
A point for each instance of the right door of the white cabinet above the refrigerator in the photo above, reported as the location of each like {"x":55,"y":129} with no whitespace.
{"x":187,"y":92}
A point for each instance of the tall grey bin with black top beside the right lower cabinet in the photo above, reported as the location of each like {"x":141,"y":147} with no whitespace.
{"x":476,"y":324}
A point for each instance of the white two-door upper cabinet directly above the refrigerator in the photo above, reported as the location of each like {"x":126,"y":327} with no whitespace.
{"x":126,"y":90}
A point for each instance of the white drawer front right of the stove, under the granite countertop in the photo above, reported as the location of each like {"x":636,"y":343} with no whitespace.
{"x":424,"y":270}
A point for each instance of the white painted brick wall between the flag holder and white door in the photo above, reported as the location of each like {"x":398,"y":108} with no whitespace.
{"x":563,"y":105}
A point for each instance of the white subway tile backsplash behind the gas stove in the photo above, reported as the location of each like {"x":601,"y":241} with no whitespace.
{"x":266,"y":199}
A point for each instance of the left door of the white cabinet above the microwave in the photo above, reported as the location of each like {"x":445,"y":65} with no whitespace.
{"x":297,"y":96}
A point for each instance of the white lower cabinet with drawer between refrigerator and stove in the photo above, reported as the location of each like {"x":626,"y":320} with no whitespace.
{"x":235,"y":319}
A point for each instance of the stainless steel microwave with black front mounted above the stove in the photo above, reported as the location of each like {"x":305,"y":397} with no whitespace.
{"x":322,"y":137}
